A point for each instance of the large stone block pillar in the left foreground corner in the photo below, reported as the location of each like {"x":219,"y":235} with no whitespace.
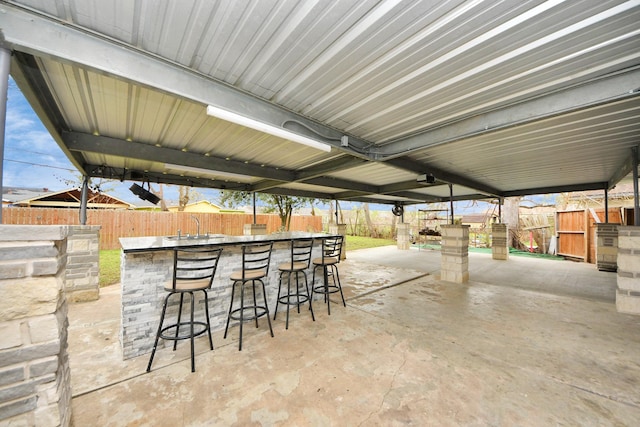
{"x":35,"y":387}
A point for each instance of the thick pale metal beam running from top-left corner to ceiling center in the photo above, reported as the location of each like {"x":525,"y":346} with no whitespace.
{"x":40,"y":35}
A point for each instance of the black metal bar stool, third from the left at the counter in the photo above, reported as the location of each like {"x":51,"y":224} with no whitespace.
{"x":296,"y":266}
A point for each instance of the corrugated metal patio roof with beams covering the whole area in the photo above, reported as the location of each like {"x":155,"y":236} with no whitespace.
{"x":497,"y":98}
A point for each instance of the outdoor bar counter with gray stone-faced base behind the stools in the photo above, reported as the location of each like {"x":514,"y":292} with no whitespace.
{"x":147,"y":264}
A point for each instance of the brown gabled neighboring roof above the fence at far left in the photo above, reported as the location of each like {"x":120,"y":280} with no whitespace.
{"x":69,"y":198}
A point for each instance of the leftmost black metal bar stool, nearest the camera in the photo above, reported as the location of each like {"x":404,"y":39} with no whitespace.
{"x":193,"y":271}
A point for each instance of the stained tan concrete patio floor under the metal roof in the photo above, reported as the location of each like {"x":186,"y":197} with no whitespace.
{"x":525,"y":342}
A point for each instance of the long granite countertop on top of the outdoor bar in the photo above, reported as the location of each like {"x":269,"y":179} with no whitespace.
{"x":159,"y":243}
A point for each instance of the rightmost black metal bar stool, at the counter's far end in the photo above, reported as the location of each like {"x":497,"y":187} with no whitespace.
{"x":328,"y":262}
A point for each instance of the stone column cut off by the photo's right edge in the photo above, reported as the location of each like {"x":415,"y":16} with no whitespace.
{"x":628,"y":292}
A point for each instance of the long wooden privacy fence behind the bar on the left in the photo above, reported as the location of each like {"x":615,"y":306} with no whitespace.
{"x":124,"y":223}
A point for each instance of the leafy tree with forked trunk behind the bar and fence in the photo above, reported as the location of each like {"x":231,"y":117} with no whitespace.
{"x":283,"y":206}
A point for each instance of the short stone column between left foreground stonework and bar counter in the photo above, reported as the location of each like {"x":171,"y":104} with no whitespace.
{"x":83,"y":263}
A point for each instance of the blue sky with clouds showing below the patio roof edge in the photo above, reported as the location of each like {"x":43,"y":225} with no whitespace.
{"x":33,"y":159}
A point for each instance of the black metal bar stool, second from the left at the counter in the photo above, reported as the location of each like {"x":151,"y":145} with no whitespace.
{"x":255,"y":267}
